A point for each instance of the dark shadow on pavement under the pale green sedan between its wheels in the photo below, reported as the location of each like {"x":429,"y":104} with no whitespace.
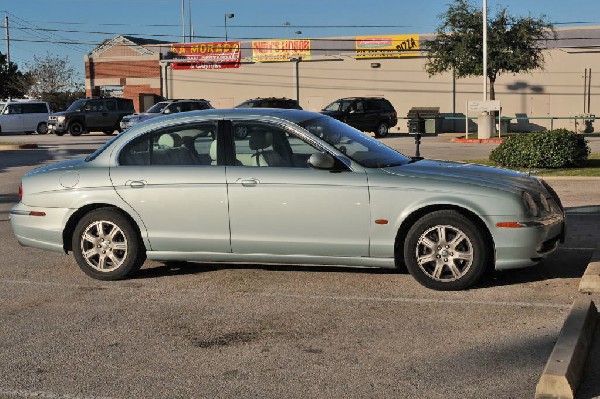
{"x":186,"y":268}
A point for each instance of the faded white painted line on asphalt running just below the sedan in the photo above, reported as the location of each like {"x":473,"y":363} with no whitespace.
{"x":419,"y":301}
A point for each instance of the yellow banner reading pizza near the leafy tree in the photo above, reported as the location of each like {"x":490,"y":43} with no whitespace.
{"x":387,"y":46}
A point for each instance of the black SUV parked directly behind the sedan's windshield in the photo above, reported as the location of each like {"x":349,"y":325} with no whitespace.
{"x":369,"y":114}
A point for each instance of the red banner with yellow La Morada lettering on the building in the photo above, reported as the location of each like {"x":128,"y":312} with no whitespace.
{"x":216,"y":55}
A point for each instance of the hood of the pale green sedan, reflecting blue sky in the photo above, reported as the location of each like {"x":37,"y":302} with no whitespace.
{"x":463,"y":173}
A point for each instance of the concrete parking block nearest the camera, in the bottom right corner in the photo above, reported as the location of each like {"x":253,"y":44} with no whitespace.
{"x":564,"y":368}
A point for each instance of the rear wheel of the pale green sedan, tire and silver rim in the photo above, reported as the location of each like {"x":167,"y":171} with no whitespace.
{"x":106,"y":246}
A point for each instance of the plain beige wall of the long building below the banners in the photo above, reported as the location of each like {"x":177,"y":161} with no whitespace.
{"x":556,"y":91}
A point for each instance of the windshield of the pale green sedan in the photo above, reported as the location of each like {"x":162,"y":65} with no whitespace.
{"x":357,"y":146}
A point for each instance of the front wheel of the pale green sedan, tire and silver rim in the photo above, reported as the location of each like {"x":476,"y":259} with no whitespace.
{"x":452,"y":249}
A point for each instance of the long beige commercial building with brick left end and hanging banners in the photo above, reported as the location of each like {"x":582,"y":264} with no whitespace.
{"x":318,"y":71}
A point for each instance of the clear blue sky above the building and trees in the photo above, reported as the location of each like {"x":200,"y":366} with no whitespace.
{"x":73,"y":28}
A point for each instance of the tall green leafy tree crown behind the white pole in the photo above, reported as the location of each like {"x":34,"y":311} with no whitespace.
{"x":514,"y":44}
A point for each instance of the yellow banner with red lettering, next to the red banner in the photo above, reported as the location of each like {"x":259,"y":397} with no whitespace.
{"x":280,"y":50}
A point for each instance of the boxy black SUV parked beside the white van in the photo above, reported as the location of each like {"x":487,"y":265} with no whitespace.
{"x":91,"y":114}
